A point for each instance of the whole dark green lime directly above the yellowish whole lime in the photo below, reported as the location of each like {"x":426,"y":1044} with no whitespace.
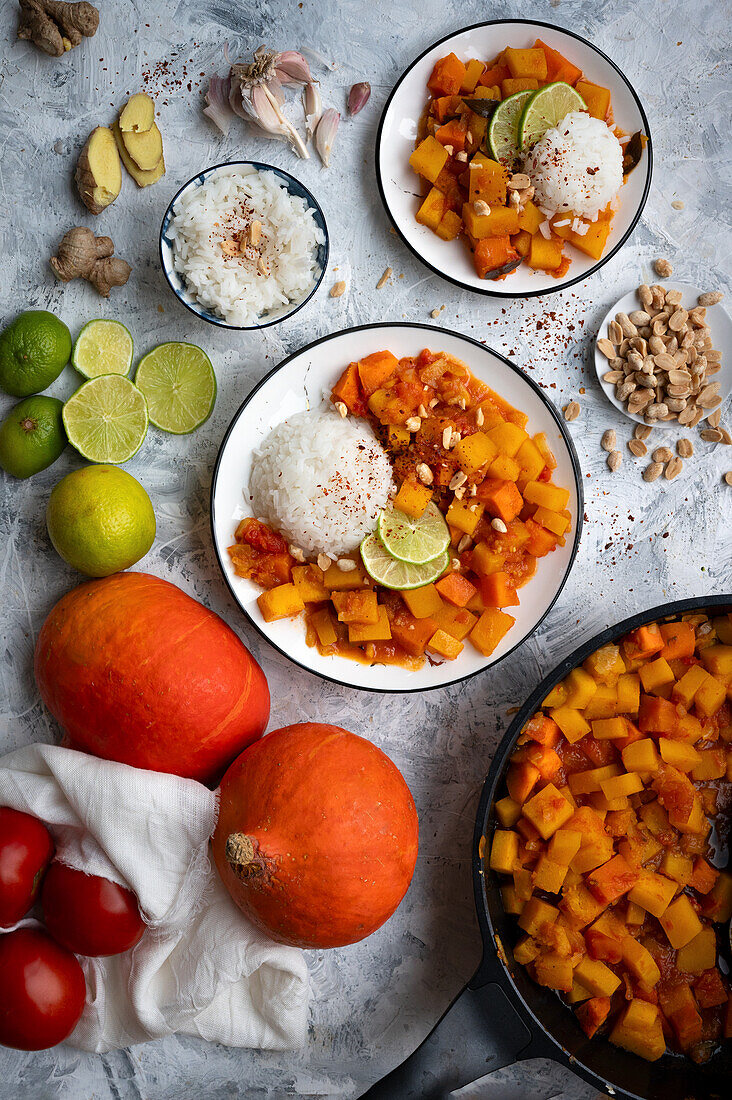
{"x":32,"y":436}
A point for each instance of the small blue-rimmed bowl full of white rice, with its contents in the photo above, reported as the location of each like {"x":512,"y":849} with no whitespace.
{"x":244,"y":245}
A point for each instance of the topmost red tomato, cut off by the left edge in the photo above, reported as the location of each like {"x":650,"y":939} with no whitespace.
{"x":26,"y":851}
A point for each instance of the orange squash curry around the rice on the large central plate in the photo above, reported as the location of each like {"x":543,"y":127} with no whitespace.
{"x":441,"y":427}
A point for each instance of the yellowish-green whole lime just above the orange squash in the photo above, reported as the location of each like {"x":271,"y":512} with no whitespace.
{"x":101,"y":521}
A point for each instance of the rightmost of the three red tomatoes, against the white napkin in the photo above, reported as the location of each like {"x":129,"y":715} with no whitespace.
{"x":89,"y":915}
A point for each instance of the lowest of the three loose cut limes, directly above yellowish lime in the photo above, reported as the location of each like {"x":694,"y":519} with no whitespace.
{"x":106,"y":420}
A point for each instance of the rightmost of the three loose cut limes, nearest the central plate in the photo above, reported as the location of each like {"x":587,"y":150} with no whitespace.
{"x":180,"y":387}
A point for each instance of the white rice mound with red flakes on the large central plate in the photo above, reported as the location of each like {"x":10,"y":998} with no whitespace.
{"x":321,"y":482}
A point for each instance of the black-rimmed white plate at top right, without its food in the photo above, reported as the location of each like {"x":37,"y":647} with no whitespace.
{"x":398,"y":131}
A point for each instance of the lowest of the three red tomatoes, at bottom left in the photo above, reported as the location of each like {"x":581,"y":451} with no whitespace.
{"x":43,"y":991}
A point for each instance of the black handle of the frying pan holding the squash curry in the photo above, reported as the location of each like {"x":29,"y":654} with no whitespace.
{"x":458,"y":1051}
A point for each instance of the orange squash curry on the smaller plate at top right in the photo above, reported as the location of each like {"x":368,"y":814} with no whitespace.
{"x":466,"y":192}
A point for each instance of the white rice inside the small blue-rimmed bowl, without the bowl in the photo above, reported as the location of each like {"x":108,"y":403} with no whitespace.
{"x":279,"y":272}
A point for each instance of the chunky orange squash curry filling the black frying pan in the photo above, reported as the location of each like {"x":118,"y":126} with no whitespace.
{"x":614,"y":828}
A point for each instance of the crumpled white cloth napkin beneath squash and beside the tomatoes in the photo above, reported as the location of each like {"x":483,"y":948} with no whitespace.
{"x":201,"y":967}
